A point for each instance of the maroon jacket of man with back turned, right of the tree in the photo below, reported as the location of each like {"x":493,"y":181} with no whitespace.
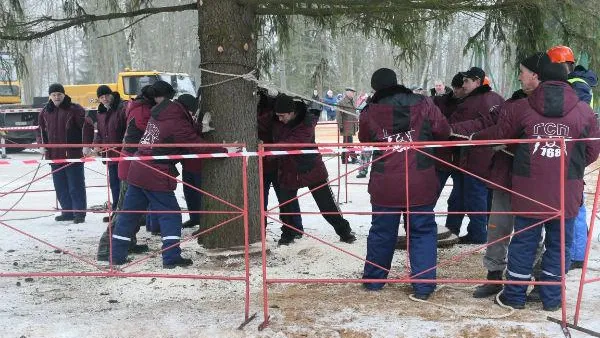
{"x":397,"y":115}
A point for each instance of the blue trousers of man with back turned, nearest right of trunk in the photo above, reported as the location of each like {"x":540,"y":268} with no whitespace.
{"x":422,"y":244}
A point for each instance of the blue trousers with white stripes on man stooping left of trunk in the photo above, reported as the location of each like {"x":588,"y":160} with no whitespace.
{"x":137,"y":198}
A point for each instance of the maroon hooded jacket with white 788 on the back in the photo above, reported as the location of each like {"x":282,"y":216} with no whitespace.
{"x":552,"y":111}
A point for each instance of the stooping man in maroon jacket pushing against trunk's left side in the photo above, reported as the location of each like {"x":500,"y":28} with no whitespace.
{"x":152,"y":183}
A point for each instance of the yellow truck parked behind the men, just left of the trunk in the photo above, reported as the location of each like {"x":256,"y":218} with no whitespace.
{"x":128,"y":85}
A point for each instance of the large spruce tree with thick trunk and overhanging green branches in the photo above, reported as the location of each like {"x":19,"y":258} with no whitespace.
{"x":227,"y":33}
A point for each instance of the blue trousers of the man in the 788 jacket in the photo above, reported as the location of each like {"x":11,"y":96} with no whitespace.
{"x":521,"y":256}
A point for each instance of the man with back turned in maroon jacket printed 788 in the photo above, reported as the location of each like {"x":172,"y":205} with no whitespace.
{"x":553,"y":110}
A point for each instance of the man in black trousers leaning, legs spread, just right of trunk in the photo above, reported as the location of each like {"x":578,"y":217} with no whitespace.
{"x":296,"y":125}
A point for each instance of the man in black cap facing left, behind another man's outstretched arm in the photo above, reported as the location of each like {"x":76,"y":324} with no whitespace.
{"x":479,"y":101}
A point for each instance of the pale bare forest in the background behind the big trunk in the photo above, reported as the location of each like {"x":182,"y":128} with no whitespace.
{"x":313,"y":57}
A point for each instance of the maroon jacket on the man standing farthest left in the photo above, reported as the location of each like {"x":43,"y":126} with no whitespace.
{"x":64,"y":124}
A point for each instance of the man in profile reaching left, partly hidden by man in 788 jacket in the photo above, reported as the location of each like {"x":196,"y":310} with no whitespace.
{"x":500,"y":223}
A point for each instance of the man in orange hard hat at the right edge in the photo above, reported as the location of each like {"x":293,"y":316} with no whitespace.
{"x":582,"y":80}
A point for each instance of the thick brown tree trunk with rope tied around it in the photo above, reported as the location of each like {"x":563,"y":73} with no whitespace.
{"x":227,"y":39}
